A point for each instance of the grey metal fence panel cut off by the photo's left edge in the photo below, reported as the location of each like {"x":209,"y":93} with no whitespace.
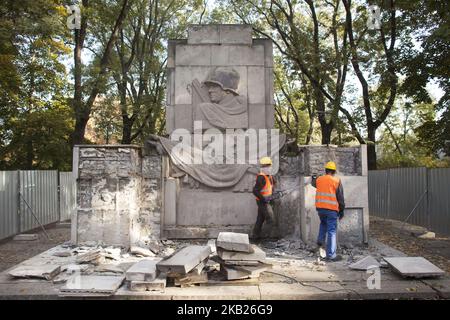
{"x":9,"y":218}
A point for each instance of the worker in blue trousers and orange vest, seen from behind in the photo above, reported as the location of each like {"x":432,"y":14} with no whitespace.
{"x":330,"y":206}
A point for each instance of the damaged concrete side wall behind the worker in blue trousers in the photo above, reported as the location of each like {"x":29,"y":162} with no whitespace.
{"x":352,"y":170}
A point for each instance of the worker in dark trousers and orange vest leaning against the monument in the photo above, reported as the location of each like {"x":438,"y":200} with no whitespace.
{"x":263,"y":191}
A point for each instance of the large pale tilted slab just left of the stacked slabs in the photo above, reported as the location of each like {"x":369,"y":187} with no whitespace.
{"x":184,"y":260}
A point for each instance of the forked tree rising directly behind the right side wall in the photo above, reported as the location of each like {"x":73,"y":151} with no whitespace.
{"x":309,"y":34}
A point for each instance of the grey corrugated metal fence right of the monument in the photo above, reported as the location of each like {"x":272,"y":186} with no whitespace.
{"x":394,"y":193}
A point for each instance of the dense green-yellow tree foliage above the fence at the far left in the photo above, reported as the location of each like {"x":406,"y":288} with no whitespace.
{"x":34,"y":114}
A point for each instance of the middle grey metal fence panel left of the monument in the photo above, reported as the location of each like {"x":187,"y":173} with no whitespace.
{"x":38,"y":190}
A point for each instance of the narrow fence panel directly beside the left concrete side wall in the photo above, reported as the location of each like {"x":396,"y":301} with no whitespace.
{"x":67,"y":195}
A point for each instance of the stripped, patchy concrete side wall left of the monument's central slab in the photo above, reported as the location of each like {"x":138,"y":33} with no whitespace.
{"x":118,"y":195}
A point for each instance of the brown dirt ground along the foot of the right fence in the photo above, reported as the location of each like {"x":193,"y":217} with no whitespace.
{"x":404,"y":237}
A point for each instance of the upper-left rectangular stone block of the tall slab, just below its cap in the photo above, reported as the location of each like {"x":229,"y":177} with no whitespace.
{"x":192,"y":55}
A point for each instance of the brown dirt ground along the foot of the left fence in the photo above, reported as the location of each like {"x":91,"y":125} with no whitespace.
{"x":13,"y":252}
